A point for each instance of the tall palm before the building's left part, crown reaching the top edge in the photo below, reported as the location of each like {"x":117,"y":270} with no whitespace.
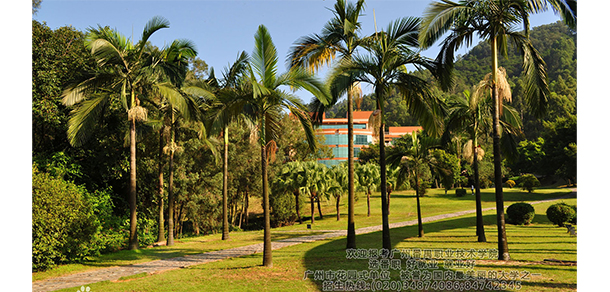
{"x":339,"y":36}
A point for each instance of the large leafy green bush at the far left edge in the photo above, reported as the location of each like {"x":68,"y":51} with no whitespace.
{"x":64,"y":225}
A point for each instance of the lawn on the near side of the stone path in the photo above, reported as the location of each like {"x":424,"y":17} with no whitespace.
{"x":528,"y":246}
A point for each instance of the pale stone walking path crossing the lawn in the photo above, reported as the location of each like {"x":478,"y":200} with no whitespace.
{"x":114,"y":273}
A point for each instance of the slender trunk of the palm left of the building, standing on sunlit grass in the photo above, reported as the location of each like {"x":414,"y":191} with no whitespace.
{"x":267,"y":256}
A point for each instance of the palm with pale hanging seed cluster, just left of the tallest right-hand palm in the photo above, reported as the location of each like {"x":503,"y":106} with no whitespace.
{"x":472,"y":114}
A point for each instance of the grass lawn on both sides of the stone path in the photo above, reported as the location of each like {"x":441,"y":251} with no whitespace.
{"x":529,"y":244}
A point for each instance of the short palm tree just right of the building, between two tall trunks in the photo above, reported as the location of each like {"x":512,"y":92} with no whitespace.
{"x":410,"y":163}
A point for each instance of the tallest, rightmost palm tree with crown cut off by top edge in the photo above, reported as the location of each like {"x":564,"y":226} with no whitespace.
{"x":494,"y":21}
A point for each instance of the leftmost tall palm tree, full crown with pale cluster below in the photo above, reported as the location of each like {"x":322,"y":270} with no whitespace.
{"x":126,"y":74}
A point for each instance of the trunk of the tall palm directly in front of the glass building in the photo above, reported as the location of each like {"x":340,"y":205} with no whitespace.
{"x":351,"y":224}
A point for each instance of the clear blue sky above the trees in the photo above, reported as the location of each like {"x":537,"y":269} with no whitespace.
{"x":222,"y":29}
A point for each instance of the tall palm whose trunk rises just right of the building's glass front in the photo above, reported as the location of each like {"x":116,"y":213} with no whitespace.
{"x":390,"y":51}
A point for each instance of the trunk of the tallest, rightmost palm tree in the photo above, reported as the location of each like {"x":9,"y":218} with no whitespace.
{"x":502,"y":240}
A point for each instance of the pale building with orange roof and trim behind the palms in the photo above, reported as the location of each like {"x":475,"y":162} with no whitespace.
{"x":335,"y":134}
